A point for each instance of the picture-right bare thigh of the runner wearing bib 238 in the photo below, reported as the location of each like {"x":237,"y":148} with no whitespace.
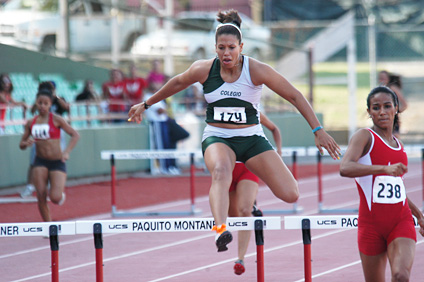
{"x":401,"y":253}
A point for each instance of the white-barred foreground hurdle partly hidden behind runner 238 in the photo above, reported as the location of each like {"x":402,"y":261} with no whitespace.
{"x":306,"y":223}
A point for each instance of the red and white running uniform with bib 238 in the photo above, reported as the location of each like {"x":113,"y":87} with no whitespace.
{"x":384,"y":213}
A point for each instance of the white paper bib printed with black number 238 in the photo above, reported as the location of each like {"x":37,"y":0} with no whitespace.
{"x":388,"y":190}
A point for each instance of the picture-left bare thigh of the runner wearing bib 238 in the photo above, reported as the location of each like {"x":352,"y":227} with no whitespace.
{"x":374,"y":267}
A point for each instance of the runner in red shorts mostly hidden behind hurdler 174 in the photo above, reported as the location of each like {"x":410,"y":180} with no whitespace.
{"x":243,"y":191}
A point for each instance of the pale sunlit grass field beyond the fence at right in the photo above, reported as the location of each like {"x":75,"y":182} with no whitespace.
{"x":331,"y":94}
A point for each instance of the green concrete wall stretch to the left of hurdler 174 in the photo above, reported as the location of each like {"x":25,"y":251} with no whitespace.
{"x":85,"y":158}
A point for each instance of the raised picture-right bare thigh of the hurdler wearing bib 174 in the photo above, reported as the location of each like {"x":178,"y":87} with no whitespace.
{"x":269,"y":167}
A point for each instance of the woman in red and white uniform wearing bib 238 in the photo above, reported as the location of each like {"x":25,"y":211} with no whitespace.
{"x":378,"y":161}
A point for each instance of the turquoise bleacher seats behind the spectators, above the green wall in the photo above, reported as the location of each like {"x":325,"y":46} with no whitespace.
{"x":82,"y":114}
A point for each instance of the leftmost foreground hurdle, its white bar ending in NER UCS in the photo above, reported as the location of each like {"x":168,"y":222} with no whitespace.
{"x":53,"y":230}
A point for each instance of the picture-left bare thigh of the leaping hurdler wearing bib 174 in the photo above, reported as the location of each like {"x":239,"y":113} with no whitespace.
{"x":219,"y":156}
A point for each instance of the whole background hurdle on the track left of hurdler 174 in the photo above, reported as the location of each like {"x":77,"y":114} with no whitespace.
{"x":150,"y":154}
